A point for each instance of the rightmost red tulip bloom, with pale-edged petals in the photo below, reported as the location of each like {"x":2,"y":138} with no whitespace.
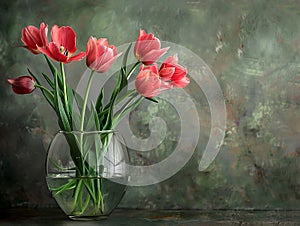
{"x":174,"y":73}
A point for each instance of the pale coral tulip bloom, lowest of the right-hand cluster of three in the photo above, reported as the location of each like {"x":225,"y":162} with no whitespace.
{"x":148,"y":82}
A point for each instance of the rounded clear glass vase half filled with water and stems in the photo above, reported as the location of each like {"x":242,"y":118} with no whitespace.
{"x":81,"y":172}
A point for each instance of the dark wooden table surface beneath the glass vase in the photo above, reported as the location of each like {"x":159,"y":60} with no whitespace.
{"x":119,"y":217}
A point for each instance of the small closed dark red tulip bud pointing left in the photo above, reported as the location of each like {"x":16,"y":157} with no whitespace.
{"x":22,"y":85}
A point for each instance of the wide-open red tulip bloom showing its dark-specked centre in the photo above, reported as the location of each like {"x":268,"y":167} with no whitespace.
{"x":63,"y":45}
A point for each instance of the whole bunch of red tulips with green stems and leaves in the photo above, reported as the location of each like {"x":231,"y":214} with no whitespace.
{"x":150,"y":81}
